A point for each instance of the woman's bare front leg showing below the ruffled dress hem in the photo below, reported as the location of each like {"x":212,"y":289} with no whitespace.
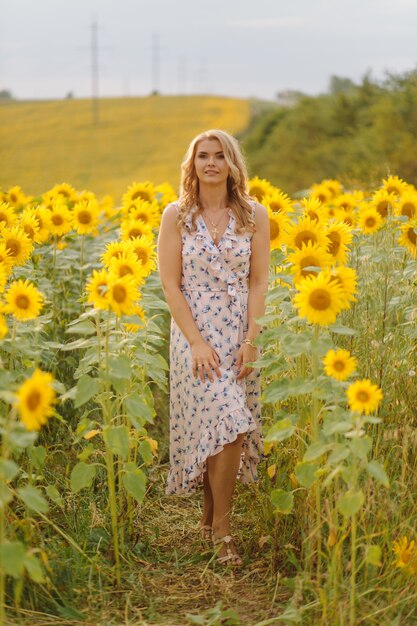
{"x":222,"y":472}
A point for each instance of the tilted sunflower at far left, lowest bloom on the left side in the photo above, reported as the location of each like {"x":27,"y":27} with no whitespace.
{"x":35,"y":399}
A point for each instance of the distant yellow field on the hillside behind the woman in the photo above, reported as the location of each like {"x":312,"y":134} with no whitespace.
{"x":44,"y":143}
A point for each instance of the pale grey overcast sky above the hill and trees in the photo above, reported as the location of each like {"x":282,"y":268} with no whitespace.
{"x":229,"y":47}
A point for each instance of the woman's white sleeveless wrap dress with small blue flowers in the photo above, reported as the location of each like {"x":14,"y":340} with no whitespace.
{"x":205,"y":416}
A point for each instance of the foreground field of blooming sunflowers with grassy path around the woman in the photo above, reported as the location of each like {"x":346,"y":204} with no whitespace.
{"x":87,"y":534}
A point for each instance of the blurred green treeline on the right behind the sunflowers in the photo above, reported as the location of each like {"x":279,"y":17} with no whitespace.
{"x":357,"y":133}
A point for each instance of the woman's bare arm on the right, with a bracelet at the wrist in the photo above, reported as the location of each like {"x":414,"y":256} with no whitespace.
{"x":258,"y":286}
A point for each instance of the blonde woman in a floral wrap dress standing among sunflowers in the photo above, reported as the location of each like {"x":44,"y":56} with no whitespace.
{"x":213,"y":251}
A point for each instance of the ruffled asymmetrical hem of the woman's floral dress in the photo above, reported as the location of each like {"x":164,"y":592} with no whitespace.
{"x":186,"y":479}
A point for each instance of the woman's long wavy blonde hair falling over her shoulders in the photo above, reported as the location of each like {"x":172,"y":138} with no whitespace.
{"x":238,"y":197}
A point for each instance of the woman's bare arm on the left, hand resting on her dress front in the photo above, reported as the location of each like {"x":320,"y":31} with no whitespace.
{"x":169,"y":262}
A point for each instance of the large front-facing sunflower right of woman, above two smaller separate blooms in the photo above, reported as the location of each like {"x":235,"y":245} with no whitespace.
{"x":320,"y":299}
